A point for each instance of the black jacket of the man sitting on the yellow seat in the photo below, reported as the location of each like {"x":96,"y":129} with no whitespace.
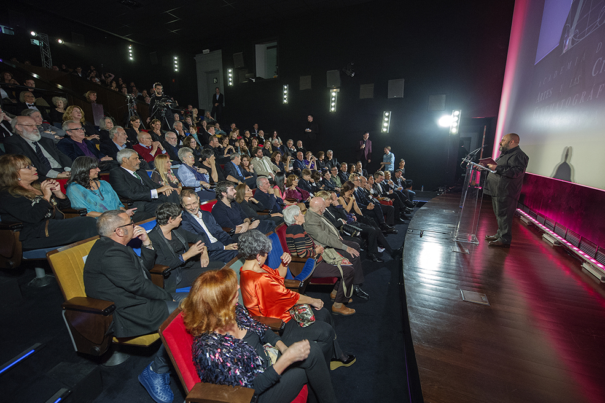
{"x":113,"y":272}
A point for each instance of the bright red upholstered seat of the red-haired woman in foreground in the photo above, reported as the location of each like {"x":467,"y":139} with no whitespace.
{"x":178,"y":342}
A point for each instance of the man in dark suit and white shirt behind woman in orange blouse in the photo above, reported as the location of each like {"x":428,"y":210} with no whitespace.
{"x":220,"y":245}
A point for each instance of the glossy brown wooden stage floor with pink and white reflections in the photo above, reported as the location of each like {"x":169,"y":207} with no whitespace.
{"x":541,"y":338}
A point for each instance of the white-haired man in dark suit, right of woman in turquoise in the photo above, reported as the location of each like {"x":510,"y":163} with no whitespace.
{"x":131,"y":182}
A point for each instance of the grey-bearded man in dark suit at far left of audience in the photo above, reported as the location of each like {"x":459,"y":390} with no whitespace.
{"x":43,"y":153}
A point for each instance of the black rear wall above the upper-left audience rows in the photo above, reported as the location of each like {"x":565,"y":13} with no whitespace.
{"x":106,"y":52}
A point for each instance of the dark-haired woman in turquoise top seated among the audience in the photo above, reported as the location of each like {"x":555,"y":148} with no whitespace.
{"x":85,"y":190}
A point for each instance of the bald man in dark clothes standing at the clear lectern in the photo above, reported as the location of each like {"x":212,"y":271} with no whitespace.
{"x":505,"y":187}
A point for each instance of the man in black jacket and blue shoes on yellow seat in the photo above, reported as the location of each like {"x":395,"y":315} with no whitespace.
{"x":114,"y":272}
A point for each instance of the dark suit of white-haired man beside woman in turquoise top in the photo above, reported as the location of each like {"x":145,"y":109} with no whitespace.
{"x":126,"y":185}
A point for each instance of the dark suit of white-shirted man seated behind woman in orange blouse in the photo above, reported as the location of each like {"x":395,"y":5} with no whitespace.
{"x":216,"y":250}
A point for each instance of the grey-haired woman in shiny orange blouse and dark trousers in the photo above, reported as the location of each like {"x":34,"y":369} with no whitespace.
{"x":264,"y":294}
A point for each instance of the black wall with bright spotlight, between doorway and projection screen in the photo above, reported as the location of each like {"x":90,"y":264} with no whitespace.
{"x":447,"y":48}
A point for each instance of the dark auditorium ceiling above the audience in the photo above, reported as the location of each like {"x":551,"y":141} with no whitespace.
{"x":189,"y":23}
